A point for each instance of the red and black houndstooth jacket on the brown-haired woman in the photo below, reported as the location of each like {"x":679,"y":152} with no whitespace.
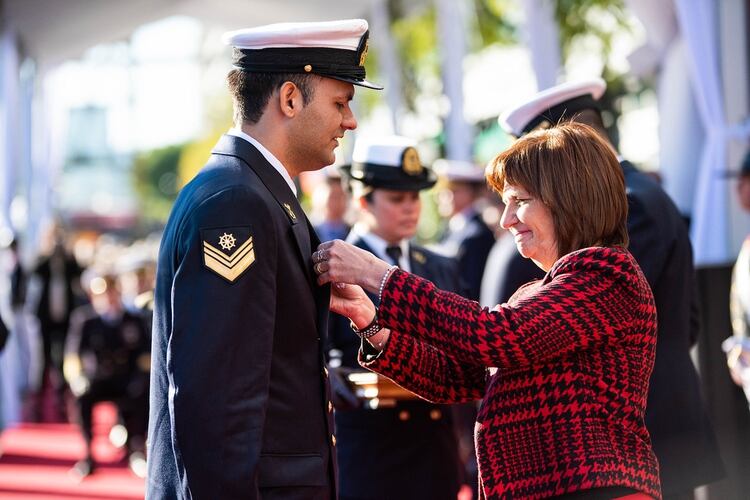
{"x":573,"y":352}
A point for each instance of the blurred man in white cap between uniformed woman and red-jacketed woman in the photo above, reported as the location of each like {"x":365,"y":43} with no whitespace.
{"x":467,"y":239}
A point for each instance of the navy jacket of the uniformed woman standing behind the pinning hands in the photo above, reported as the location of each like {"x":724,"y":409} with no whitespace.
{"x":410,"y":450}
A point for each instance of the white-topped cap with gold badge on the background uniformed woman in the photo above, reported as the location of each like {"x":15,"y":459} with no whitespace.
{"x":389,"y":163}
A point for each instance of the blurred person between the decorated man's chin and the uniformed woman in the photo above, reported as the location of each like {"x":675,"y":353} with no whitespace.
{"x":331,"y":202}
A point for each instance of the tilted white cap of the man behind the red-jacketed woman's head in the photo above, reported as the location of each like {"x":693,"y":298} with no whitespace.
{"x":550,"y":106}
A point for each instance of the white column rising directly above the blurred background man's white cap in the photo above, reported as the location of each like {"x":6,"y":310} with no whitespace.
{"x":451,"y":17}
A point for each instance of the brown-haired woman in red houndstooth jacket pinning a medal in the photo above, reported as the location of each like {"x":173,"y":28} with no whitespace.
{"x":562,"y":414}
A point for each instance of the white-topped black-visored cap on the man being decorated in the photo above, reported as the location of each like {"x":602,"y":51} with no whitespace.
{"x":334,"y":49}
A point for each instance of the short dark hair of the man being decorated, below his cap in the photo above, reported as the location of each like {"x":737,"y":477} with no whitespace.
{"x":251,"y":91}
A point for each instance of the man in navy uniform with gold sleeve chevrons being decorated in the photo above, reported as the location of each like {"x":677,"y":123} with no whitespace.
{"x":239,"y":392}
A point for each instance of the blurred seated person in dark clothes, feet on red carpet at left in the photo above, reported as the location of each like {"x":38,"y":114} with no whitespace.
{"x":107,"y":359}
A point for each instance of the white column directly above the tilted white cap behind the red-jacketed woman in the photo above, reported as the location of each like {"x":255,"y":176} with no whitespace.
{"x":543,"y":39}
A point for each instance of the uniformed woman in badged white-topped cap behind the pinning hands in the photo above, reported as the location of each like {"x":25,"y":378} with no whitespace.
{"x":408,"y":450}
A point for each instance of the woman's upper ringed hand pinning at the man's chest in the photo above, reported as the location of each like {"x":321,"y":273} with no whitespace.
{"x":339,"y":262}
